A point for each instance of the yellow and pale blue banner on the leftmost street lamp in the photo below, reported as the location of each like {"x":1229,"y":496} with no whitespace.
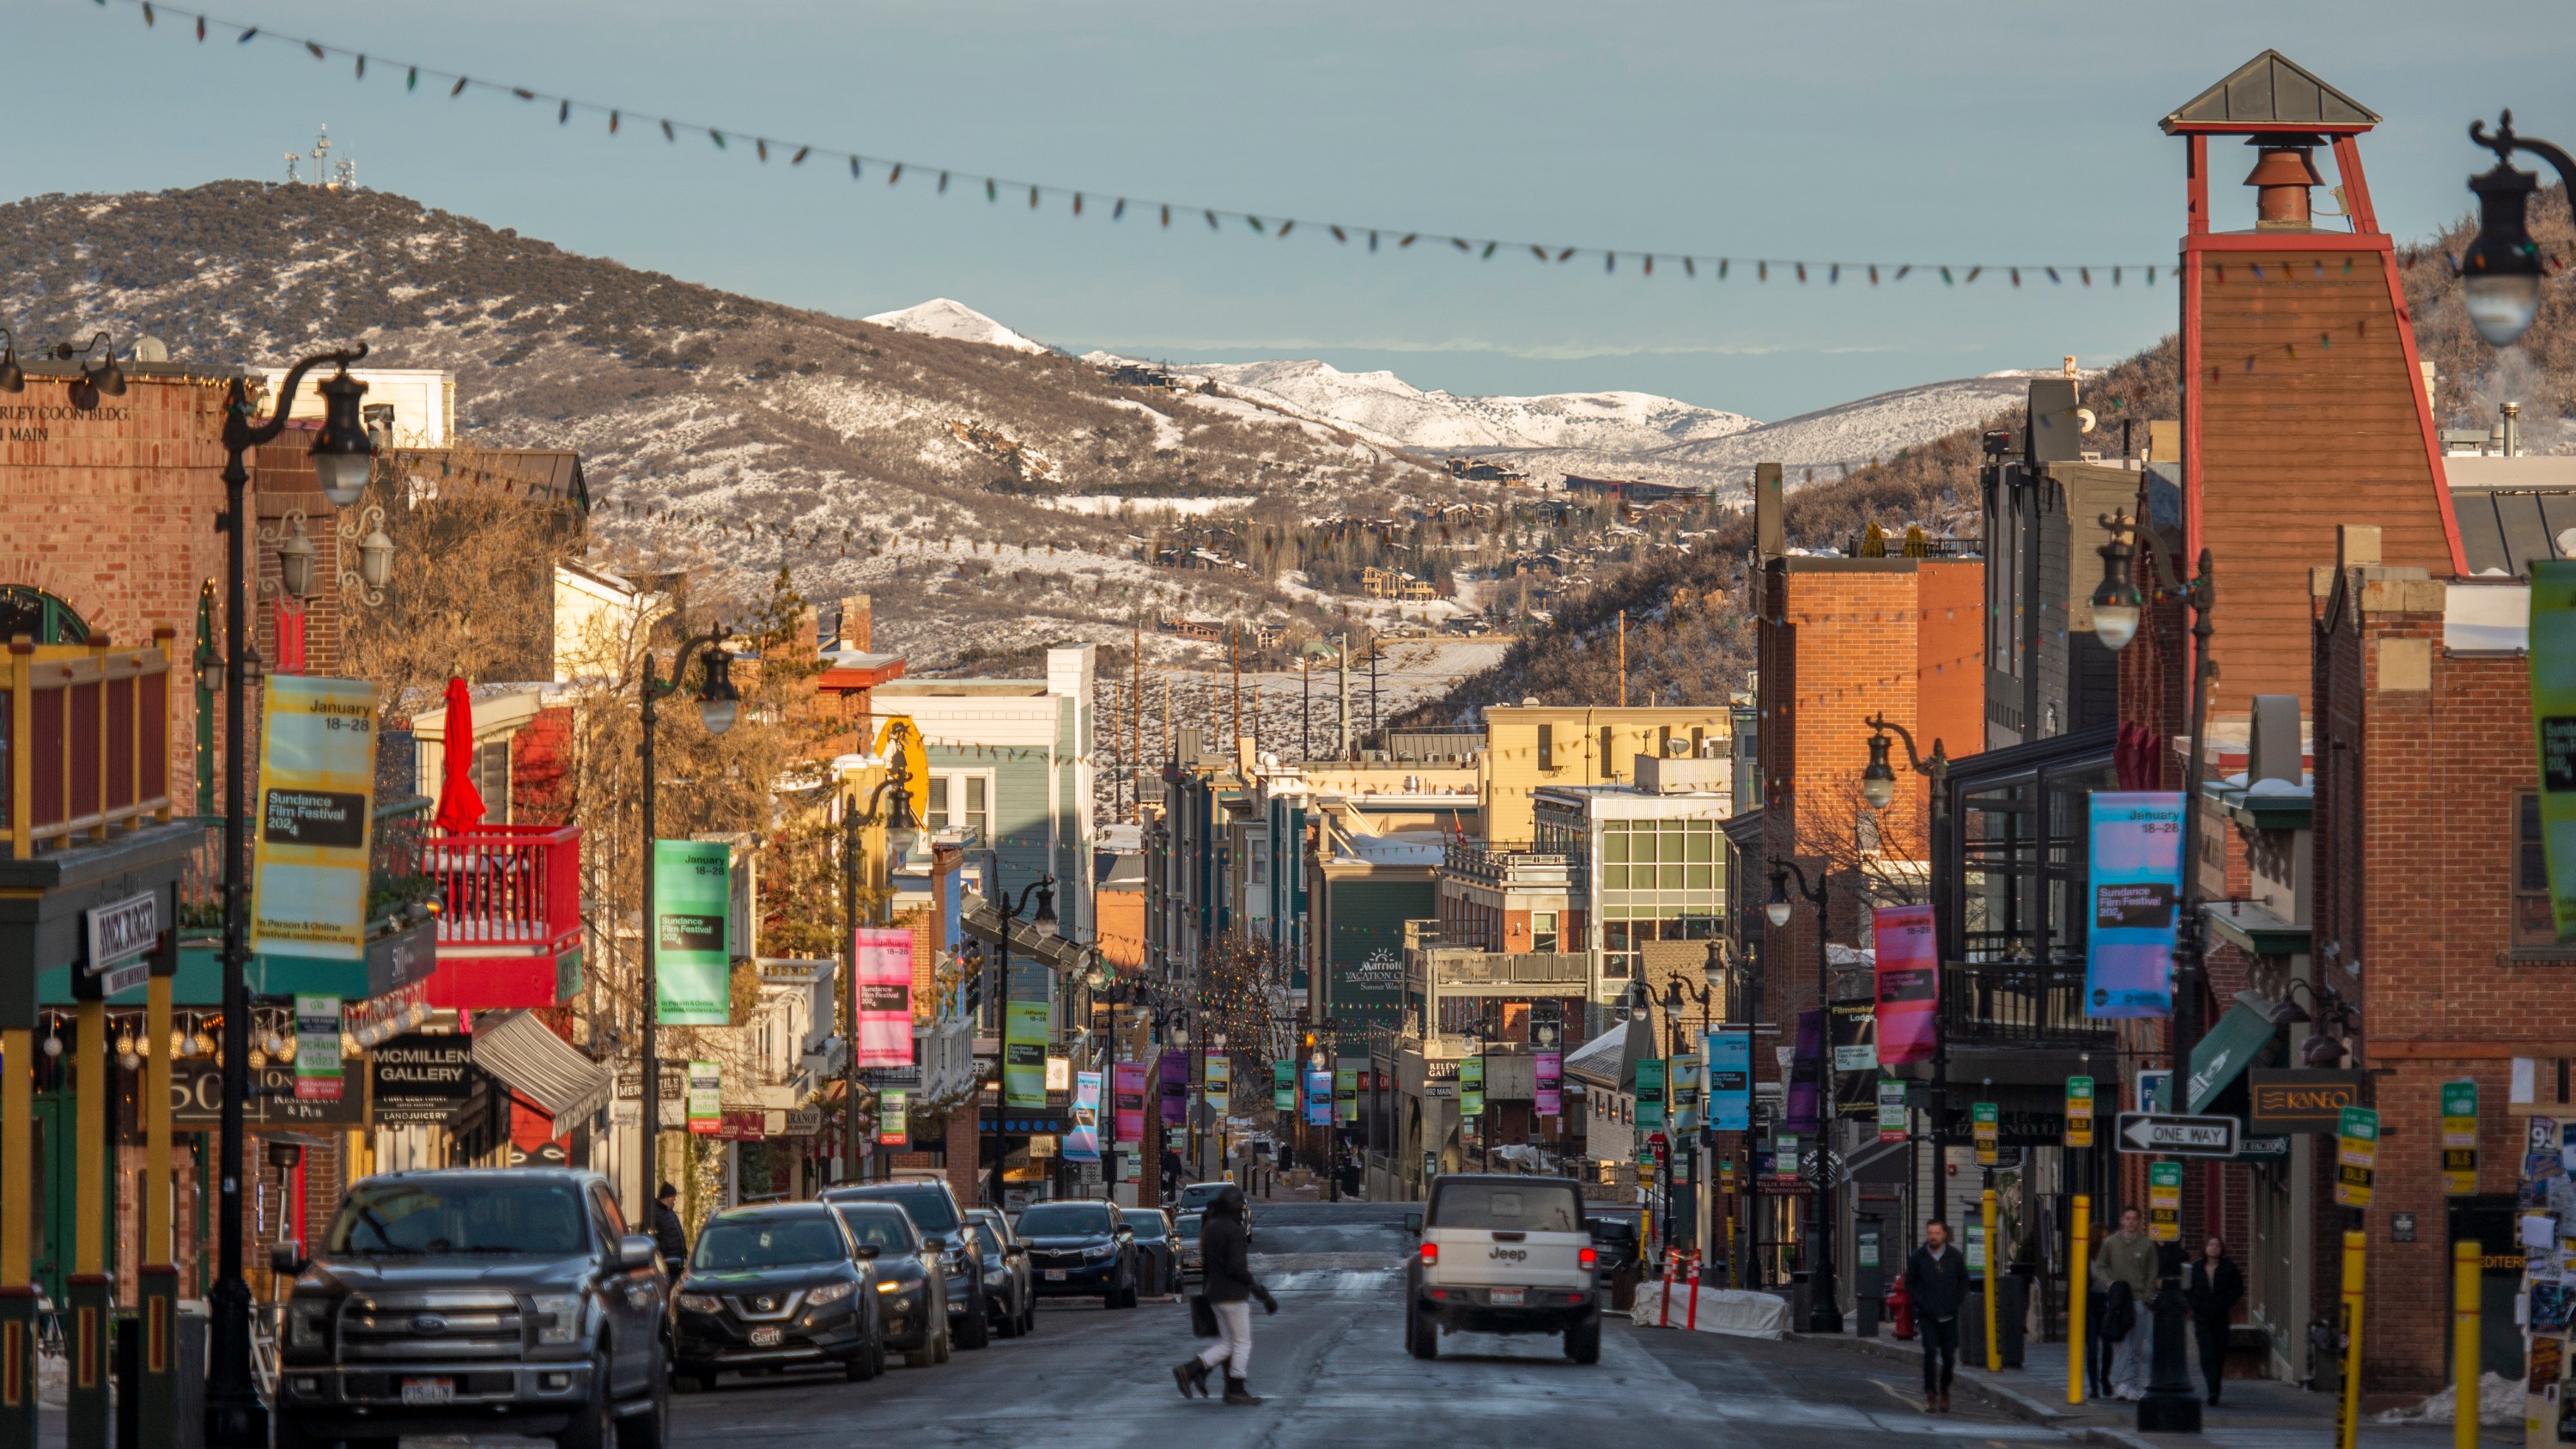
{"x":318,"y":793}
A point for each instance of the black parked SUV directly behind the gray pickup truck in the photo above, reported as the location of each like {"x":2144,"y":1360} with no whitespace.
{"x":777,"y":1288}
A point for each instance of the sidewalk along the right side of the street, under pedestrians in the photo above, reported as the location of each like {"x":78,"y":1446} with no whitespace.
{"x":2255,"y":1414}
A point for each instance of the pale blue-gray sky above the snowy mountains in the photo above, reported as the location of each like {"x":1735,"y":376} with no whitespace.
{"x":1835,"y":130}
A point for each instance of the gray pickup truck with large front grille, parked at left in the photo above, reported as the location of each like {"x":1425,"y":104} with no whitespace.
{"x":475,"y":1303}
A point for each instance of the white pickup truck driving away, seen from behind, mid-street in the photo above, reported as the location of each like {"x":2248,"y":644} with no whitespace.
{"x":1503,"y":1254}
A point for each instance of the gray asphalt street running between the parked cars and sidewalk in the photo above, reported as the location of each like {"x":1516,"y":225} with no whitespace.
{"x":1336,"y":1373}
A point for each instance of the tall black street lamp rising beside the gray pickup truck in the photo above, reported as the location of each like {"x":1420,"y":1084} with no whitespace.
{"x":236,"y":1417}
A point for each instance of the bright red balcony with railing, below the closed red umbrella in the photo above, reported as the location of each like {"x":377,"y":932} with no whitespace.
{"x":511,"y":917}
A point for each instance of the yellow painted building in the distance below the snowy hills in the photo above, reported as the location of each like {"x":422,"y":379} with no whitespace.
{"x":1531,"y":746}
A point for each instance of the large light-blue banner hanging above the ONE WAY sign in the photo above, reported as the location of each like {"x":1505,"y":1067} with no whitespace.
{"x":2137,"y":904}
